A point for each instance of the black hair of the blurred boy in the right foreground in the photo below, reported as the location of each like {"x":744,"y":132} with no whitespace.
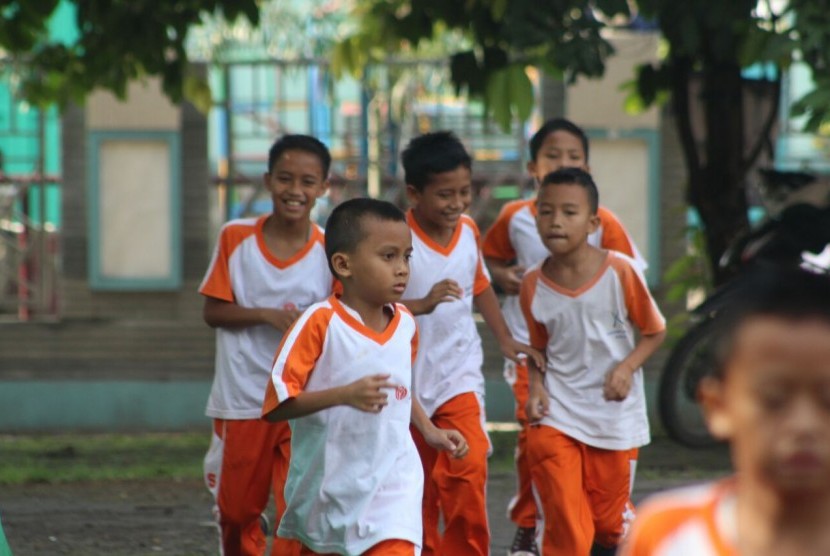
{"x":771,"y":290}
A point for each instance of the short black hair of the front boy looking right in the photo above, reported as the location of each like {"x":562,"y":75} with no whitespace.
{"x":344,"y":228}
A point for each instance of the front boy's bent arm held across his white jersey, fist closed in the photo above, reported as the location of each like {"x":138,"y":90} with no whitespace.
{"x":365,"y":394}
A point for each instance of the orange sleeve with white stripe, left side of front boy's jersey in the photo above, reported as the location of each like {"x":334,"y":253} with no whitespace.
{"x":296,"y":357}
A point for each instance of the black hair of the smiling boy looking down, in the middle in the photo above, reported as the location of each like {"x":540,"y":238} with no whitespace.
{"x":430,"y":154}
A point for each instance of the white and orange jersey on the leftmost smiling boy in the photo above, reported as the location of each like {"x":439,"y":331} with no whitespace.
{"x":244,"y":271}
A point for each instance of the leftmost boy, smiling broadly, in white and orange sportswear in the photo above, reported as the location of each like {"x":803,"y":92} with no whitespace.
{"x":264,"y":271}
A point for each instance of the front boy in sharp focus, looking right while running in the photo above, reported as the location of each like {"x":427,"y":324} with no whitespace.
{"x":343,"y":376}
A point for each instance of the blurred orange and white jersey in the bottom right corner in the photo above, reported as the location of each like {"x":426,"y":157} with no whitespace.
{"x":691,"y":521}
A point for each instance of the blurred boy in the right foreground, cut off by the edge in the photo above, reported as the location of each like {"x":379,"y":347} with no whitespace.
{"x":769,"y":397}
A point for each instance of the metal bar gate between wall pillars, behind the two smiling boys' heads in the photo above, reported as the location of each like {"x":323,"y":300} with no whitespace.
{"x":364,"y":123}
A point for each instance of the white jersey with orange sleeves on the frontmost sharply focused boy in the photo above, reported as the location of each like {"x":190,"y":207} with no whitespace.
{"x":355,"y":478}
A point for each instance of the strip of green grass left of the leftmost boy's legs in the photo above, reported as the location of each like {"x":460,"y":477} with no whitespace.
{"x":101,"y":457}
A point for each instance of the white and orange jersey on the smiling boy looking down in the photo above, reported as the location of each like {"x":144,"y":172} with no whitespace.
{"x":450,"y":360}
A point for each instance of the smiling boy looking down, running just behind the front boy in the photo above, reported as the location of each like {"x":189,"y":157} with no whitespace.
{"x":448,"y":277}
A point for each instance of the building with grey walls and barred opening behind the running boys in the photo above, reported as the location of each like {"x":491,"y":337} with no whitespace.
{"x":103,"y":250}
